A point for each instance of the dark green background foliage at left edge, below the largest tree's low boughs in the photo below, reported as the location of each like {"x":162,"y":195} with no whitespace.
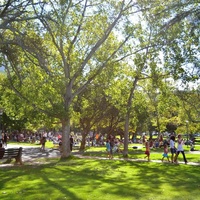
{"x":16,"y":114}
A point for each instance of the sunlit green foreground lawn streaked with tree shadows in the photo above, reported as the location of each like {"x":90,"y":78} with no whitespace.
{"x":88,"y":179}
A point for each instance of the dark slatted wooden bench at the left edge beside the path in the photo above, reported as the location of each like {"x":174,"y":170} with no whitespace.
{"x":12,"y":153}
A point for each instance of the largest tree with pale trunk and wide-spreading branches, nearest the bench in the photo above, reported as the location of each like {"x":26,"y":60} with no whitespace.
{"x":51,"y":60}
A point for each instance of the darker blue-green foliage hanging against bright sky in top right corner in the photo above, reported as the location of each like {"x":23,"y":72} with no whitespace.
{"x":176,"y":27}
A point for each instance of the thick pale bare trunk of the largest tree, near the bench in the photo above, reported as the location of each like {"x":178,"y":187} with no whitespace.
{"x":65,"y":149}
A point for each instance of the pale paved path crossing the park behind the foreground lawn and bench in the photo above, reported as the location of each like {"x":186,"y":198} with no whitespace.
{"x":31,"y":153}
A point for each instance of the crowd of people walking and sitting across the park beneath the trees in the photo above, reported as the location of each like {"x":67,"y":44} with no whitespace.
{"x":113,"y":144}
